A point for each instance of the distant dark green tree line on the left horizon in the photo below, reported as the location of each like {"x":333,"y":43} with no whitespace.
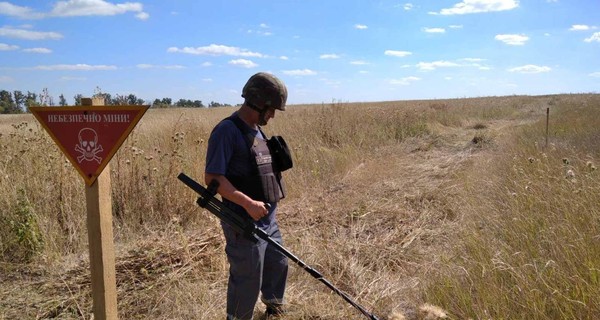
{"x":15,"y":102}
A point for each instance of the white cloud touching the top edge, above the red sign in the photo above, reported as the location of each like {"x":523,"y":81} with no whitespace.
{"x":75,"y":8}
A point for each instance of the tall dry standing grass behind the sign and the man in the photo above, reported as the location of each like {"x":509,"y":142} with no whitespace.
{"x":326,"y":141}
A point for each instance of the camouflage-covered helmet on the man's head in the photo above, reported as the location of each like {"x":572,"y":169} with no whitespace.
{"x":264,"y":90}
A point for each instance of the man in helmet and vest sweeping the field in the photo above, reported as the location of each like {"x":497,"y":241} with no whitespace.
{"x":239,"y":159}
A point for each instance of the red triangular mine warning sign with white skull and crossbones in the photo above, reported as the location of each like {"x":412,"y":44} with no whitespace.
{"x":90,"y":135}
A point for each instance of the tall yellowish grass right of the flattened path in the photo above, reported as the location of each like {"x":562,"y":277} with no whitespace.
{"x":531,"y":248}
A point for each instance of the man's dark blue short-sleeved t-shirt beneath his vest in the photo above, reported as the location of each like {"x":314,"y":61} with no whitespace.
{"x":228,"y":153}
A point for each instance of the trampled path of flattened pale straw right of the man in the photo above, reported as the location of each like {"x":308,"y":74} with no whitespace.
{"x":408,"y":194}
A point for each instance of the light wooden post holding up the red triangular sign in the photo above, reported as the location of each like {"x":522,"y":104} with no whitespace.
{"x":101,"y":244}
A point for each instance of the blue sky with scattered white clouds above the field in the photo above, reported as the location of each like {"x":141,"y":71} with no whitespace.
{"x":324,"y":50}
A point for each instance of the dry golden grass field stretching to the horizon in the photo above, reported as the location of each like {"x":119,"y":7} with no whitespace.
{"x":437,"y":208}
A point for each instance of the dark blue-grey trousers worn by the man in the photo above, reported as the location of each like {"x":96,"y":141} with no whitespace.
{"x":253,"y":268}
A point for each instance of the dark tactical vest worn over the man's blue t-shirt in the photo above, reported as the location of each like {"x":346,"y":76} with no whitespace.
{"x":265,"y":183}
